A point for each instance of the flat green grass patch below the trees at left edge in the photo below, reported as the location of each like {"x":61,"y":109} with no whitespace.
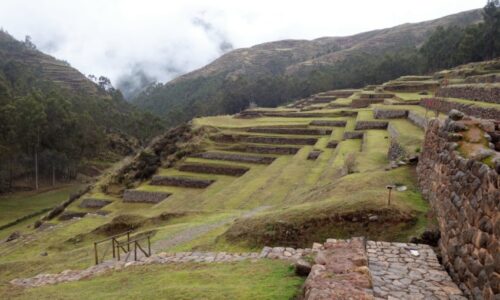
{"x":17,"y":205}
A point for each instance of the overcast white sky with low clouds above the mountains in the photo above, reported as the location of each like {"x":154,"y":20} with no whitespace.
{"x":117,"y":38}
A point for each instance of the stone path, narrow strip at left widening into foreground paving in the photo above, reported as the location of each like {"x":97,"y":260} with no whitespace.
{"x":343,"y":269}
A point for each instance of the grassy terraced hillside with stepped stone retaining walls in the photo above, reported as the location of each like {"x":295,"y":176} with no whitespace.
{"x":314,"y":169}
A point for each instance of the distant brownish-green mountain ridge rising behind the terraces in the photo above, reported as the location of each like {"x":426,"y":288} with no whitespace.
{"x":273,"y":73}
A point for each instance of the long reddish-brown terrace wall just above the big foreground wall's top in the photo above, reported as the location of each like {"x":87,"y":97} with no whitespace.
{"x":444,"y":106}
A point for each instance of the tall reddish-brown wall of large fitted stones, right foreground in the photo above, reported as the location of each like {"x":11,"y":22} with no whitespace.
{"x":465,"y":197}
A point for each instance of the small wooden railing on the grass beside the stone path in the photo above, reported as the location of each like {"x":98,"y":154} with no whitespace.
{"x":124,"y":245}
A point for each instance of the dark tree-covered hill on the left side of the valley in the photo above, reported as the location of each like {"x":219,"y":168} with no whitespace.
{"x":52,"y":117}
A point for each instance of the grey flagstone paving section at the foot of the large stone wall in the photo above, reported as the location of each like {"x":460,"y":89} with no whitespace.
{"x":408,"y":271}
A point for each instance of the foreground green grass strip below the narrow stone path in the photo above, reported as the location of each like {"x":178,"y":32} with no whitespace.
{"x":244,"y":280}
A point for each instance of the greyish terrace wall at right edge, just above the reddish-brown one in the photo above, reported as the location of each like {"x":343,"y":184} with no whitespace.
{"x":483,"y":93}
